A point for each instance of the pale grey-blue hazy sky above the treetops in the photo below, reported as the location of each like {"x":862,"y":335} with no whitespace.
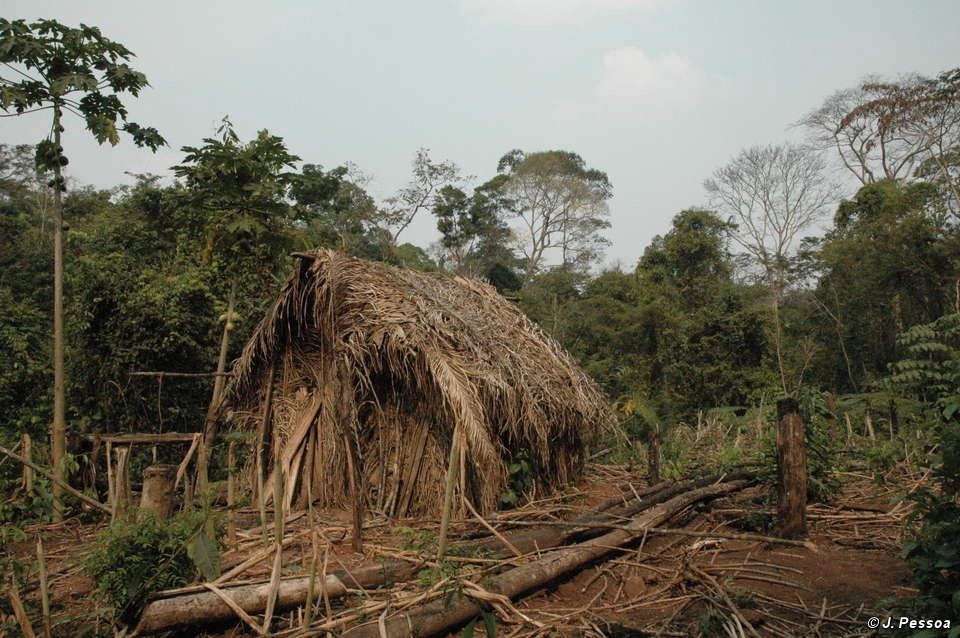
{"x":656,"y":93}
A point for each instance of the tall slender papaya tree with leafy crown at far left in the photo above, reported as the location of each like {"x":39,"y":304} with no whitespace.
{"x":64,"y":70}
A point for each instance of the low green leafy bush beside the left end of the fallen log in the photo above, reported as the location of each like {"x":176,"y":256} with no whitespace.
{"x":140,"y":554}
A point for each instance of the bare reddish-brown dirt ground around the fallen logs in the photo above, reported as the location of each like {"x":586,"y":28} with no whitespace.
{"x":713,"y":584}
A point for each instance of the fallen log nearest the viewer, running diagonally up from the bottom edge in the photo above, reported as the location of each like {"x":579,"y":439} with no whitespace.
{"x":439,"y":617}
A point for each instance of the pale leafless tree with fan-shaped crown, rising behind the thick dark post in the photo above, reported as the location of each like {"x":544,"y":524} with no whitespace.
{"x":772,"y":194}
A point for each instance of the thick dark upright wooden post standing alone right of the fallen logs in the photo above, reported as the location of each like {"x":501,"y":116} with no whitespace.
{"x":791,"y":471}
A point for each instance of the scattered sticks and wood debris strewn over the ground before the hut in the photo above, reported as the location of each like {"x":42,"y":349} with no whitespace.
{"x":706,"y":572}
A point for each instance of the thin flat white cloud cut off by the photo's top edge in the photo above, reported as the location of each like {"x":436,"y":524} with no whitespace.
{"x":539,"y":13}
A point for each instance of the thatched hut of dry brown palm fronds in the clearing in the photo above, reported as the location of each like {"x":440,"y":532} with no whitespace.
{"x":360,"y":365}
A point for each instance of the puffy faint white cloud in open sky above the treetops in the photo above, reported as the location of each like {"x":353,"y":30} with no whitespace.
{"x":633,"y":82}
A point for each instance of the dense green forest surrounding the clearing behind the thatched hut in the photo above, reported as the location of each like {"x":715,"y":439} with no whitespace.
{"x":826,"y":266}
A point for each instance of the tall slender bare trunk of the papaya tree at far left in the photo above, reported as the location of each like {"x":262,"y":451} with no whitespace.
{"x":58,"y":428}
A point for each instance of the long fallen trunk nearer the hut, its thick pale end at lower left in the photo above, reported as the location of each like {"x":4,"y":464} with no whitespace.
{"x":206,"y":607}
